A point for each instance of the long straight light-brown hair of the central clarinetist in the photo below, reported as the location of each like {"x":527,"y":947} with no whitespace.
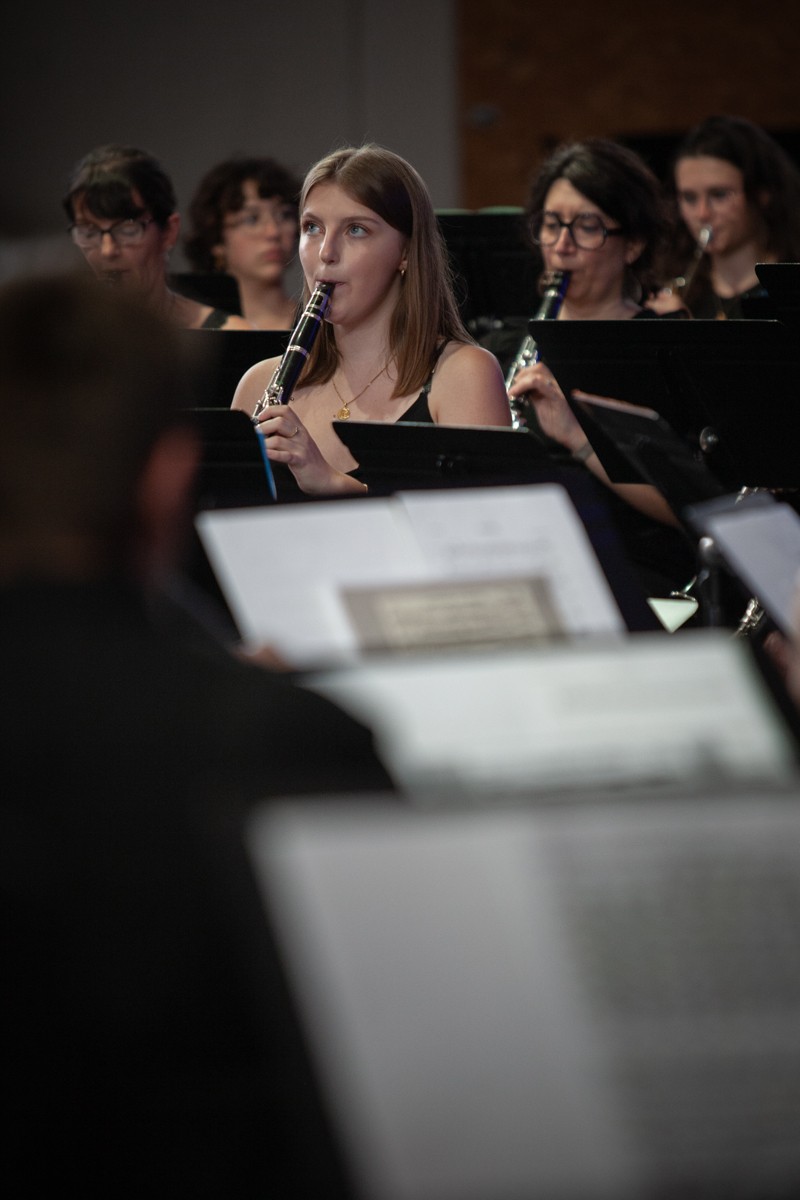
{"x":426,"y":314}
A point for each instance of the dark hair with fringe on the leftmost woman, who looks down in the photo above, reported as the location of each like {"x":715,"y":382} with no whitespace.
{"x":106,"y":179}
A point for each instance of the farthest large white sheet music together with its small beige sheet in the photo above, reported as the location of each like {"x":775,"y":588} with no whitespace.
{"x":291,"y":573}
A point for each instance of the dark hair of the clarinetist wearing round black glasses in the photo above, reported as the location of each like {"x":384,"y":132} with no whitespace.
{"x":618,"y":182}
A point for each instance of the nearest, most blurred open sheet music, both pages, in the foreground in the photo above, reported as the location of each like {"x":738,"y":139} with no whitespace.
{"x":580,"y":1001}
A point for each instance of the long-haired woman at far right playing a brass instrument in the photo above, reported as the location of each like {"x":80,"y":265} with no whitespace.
{"x":738,"y":197}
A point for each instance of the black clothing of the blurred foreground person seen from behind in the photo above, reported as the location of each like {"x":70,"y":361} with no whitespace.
{"x":151,"y":1046}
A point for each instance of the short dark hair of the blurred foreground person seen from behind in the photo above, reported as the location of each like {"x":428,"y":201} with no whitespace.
{"x":89,"y":380}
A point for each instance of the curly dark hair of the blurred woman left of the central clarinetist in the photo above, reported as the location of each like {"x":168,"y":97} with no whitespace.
{"x":221,"y":191}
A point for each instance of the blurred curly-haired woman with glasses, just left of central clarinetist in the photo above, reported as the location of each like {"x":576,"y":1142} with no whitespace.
{"x":244,"y":221}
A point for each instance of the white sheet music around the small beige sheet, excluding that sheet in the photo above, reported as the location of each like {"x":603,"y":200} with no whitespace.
{"x":285,"y":569}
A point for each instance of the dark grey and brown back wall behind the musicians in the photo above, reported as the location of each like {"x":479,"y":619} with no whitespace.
{"x":474,"y":93}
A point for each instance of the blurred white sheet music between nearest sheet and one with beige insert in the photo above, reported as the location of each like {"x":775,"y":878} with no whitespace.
{"x":652,"y":711}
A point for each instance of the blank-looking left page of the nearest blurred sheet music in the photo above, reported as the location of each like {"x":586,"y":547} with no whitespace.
{"x":446,"y":1019}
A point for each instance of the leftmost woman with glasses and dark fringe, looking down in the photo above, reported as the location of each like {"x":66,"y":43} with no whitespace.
{"x":124,"y":219}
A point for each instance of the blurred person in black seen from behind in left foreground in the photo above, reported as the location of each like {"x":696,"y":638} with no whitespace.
{"x":148,"y":1041}
